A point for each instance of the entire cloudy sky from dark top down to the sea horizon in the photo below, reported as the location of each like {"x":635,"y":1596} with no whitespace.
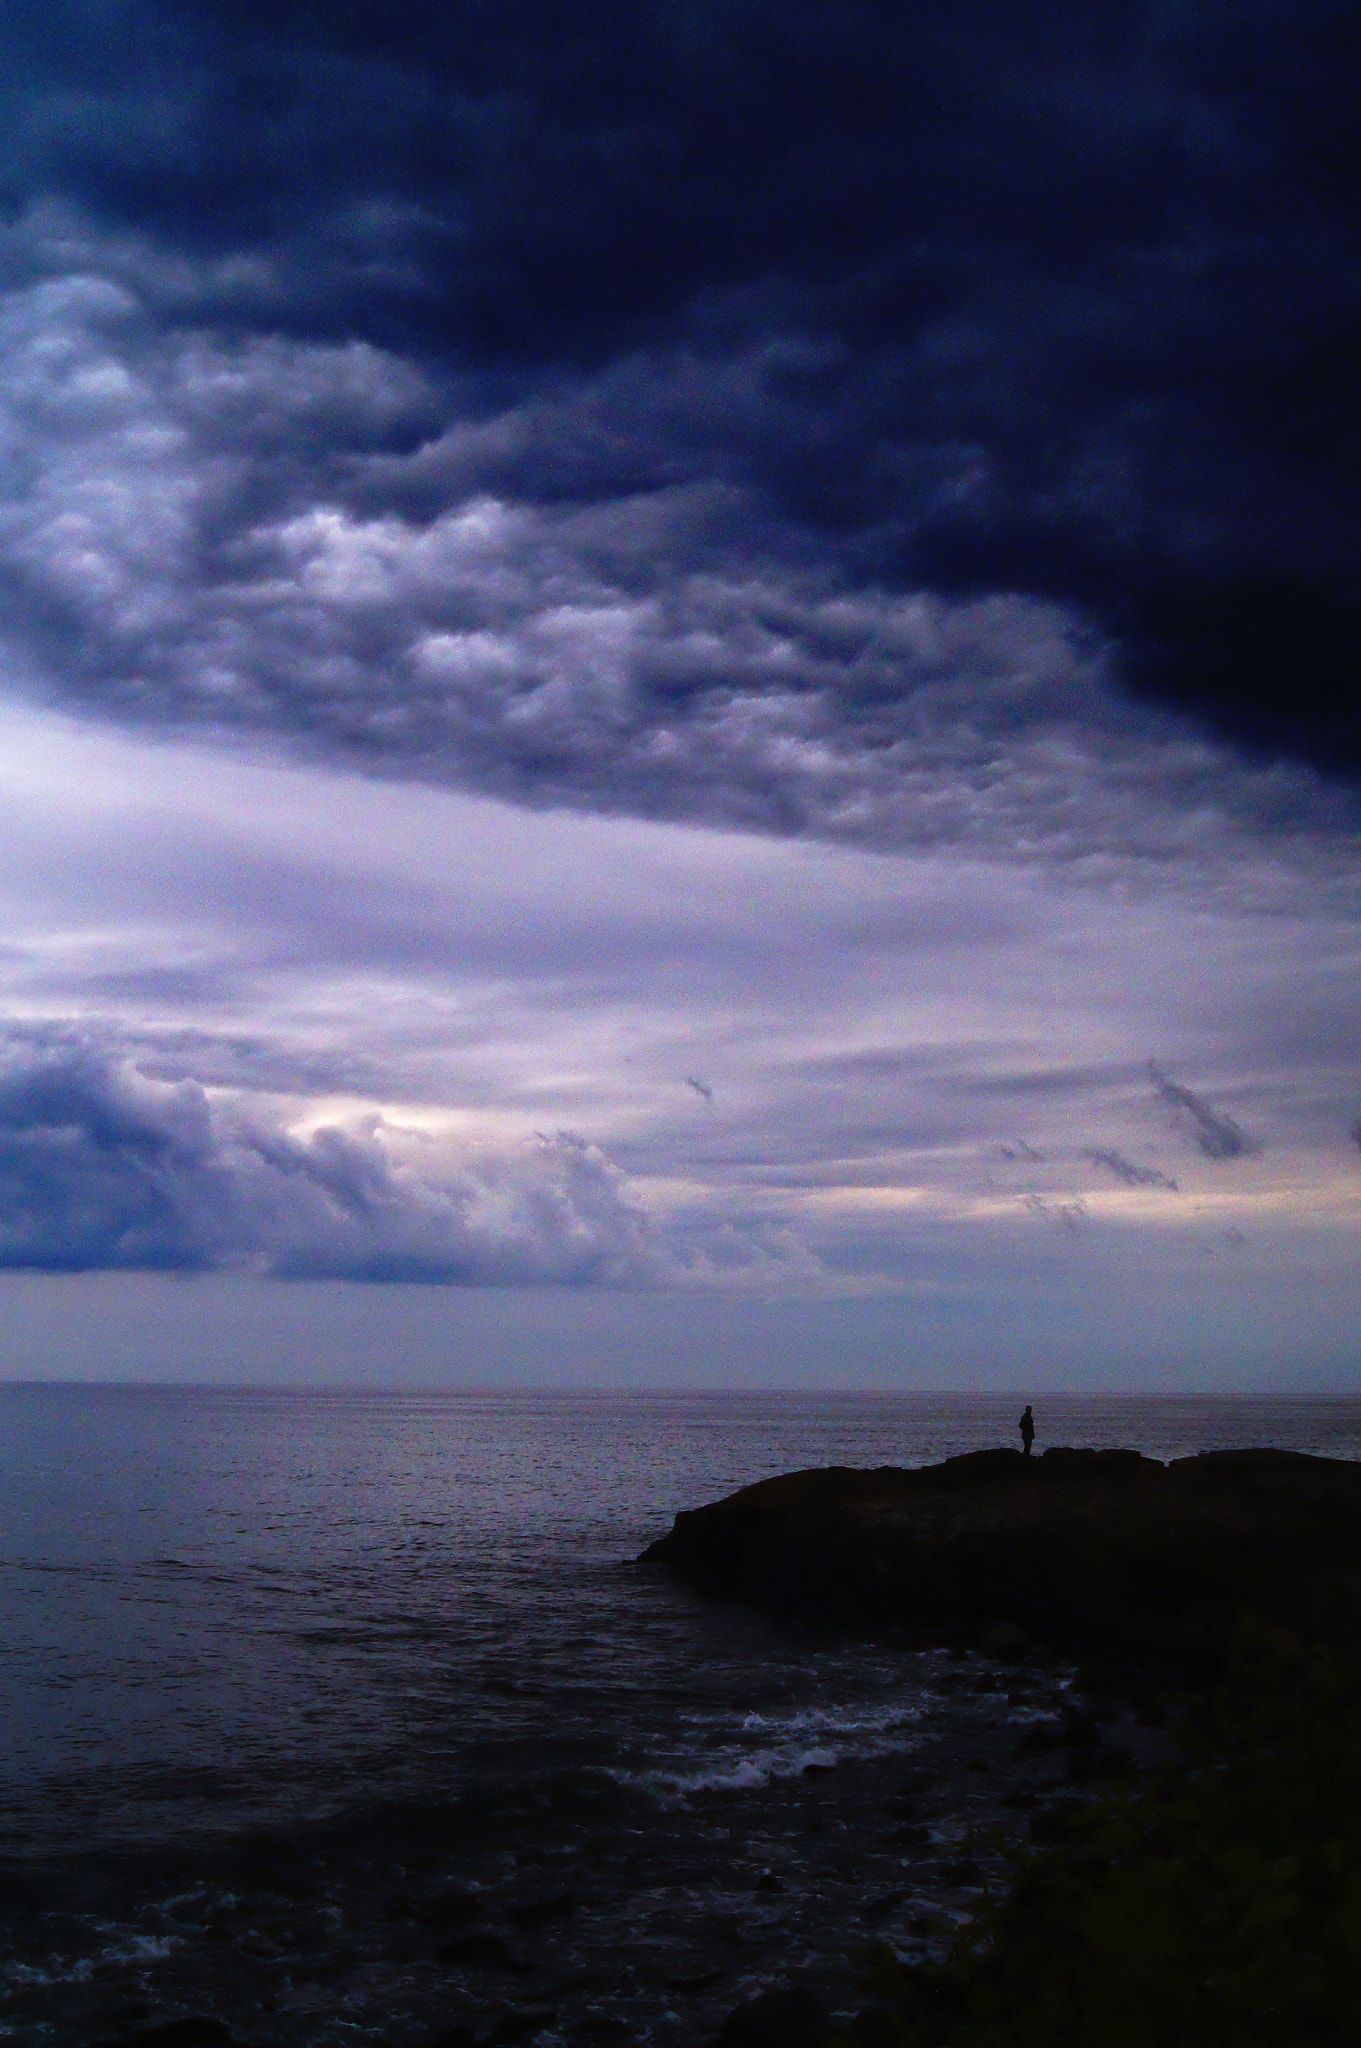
{"x":678,"y":695}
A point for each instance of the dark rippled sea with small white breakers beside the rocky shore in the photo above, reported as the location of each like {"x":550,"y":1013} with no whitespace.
{"x":339,"y":1717}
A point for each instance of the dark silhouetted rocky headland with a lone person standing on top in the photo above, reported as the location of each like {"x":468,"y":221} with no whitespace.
{"x":1092,"y":1551}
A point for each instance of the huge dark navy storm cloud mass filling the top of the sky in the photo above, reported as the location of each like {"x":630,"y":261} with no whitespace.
{"x":758,"y":325}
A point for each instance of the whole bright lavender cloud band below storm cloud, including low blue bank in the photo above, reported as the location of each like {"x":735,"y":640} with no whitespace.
{"x":283,"y":1021}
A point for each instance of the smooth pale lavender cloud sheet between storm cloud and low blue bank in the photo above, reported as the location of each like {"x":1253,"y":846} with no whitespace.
{"x":873,"y":1027}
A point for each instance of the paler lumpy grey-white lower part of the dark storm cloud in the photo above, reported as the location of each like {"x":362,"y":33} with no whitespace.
{"x":195,"y":540}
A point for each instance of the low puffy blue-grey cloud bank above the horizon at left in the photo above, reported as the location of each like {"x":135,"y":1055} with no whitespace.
{"x":105,"y":1168}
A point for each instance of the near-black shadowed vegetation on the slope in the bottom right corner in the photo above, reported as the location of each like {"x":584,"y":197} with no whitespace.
{"x":1219,"y":1908}
